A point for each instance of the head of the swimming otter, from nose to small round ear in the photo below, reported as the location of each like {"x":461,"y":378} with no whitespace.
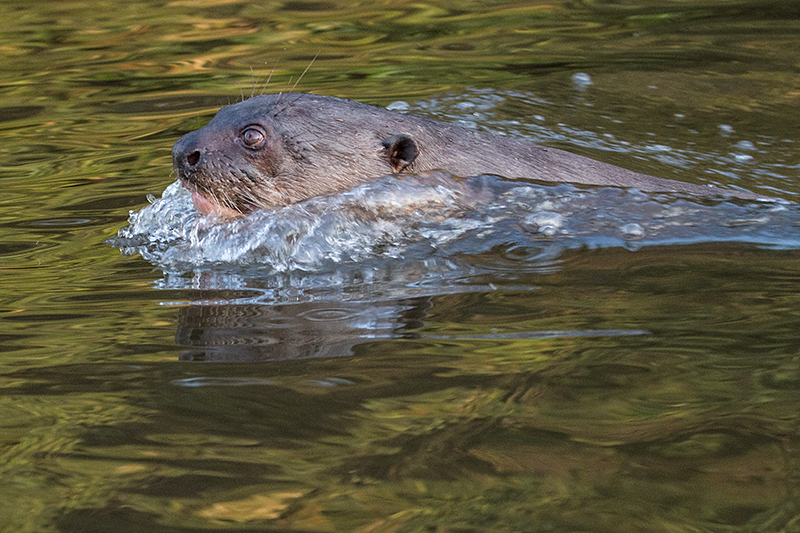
{"x":268,"y":152}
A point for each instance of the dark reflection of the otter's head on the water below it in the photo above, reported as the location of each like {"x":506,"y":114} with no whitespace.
{"x":253,"y":332}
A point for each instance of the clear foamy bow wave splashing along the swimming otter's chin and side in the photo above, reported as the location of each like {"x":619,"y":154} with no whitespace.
{"x":438,"y":217}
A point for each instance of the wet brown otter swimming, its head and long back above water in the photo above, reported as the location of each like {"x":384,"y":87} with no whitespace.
{"x":279,"y":149}
